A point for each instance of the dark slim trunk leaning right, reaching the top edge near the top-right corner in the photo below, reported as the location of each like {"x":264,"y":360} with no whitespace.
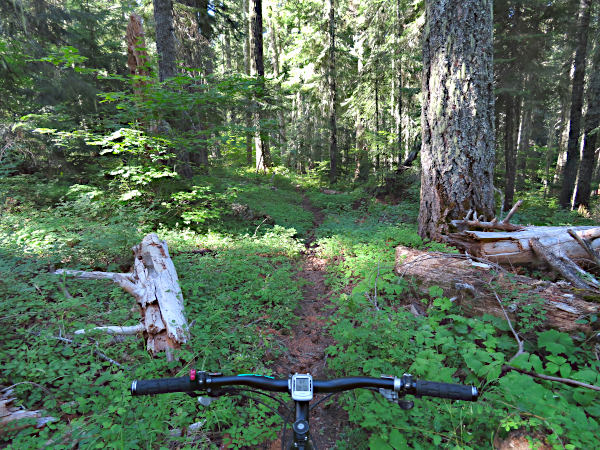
{"x":573,"y":150}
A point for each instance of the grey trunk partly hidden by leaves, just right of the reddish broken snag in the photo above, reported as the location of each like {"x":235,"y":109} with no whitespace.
{"x":165,"y":47}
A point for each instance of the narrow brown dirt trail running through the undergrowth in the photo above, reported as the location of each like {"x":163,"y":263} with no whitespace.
{"x":308,"y":341}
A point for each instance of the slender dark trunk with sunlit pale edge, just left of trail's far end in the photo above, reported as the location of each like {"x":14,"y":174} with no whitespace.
{"x":257,"y":68}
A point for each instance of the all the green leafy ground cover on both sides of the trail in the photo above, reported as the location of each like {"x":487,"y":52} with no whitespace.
{"x":242,"y":297}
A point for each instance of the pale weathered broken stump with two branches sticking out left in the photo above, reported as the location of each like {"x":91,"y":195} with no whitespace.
{"x":155,"y":286}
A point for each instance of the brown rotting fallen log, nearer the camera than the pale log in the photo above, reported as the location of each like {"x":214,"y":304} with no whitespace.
{"x":471,"y":285}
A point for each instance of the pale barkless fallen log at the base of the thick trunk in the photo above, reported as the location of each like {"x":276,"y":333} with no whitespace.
{"x":513,"y":248}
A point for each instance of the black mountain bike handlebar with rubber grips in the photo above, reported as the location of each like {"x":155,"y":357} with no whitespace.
{"x":207,"y":381}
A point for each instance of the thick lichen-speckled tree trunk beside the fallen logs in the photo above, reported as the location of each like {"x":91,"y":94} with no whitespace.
{"x":457,"y":114}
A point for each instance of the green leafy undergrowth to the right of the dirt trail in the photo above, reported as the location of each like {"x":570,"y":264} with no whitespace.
{"x":376,"y":333}
